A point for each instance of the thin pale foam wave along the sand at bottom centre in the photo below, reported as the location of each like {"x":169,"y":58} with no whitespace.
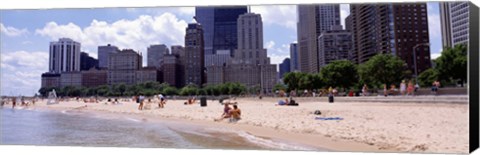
{"x":262,"y":141}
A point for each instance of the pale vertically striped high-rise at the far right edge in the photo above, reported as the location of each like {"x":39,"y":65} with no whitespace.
{"x":454,"y":17}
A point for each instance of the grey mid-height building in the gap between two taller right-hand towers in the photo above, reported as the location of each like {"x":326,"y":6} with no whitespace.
{"x":335,"y":44}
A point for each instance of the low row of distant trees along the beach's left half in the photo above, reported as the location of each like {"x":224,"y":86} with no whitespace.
{"x":149,"y":89}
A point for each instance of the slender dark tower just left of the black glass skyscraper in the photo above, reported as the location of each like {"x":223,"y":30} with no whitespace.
{"x":194,"y":55}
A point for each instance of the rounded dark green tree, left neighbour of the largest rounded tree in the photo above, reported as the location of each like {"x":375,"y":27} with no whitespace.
{"x":341,"y":73}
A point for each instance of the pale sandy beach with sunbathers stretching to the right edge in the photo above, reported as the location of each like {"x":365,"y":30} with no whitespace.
{"x":372,"y":127}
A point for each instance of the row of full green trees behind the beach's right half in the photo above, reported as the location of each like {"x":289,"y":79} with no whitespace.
{"x":450,"y":68}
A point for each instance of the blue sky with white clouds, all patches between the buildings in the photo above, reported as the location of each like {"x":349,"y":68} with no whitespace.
{"x":26,"y":34}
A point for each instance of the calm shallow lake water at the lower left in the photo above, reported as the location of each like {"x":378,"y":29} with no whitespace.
{"x":77,"y":128}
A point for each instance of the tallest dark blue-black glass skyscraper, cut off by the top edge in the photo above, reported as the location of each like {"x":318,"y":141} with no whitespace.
{"x":220,"y":27}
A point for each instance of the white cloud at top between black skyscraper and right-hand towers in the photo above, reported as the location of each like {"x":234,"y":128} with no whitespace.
{"x":283,"y":15}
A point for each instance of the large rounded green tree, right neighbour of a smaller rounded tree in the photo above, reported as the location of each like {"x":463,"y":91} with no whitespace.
{"x":380,"y":69}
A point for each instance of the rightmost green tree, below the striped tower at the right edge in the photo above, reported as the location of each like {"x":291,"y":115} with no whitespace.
{"x":452,"y":64}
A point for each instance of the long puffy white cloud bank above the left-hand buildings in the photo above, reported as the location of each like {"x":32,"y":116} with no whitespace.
{"x":136,"y":34}
